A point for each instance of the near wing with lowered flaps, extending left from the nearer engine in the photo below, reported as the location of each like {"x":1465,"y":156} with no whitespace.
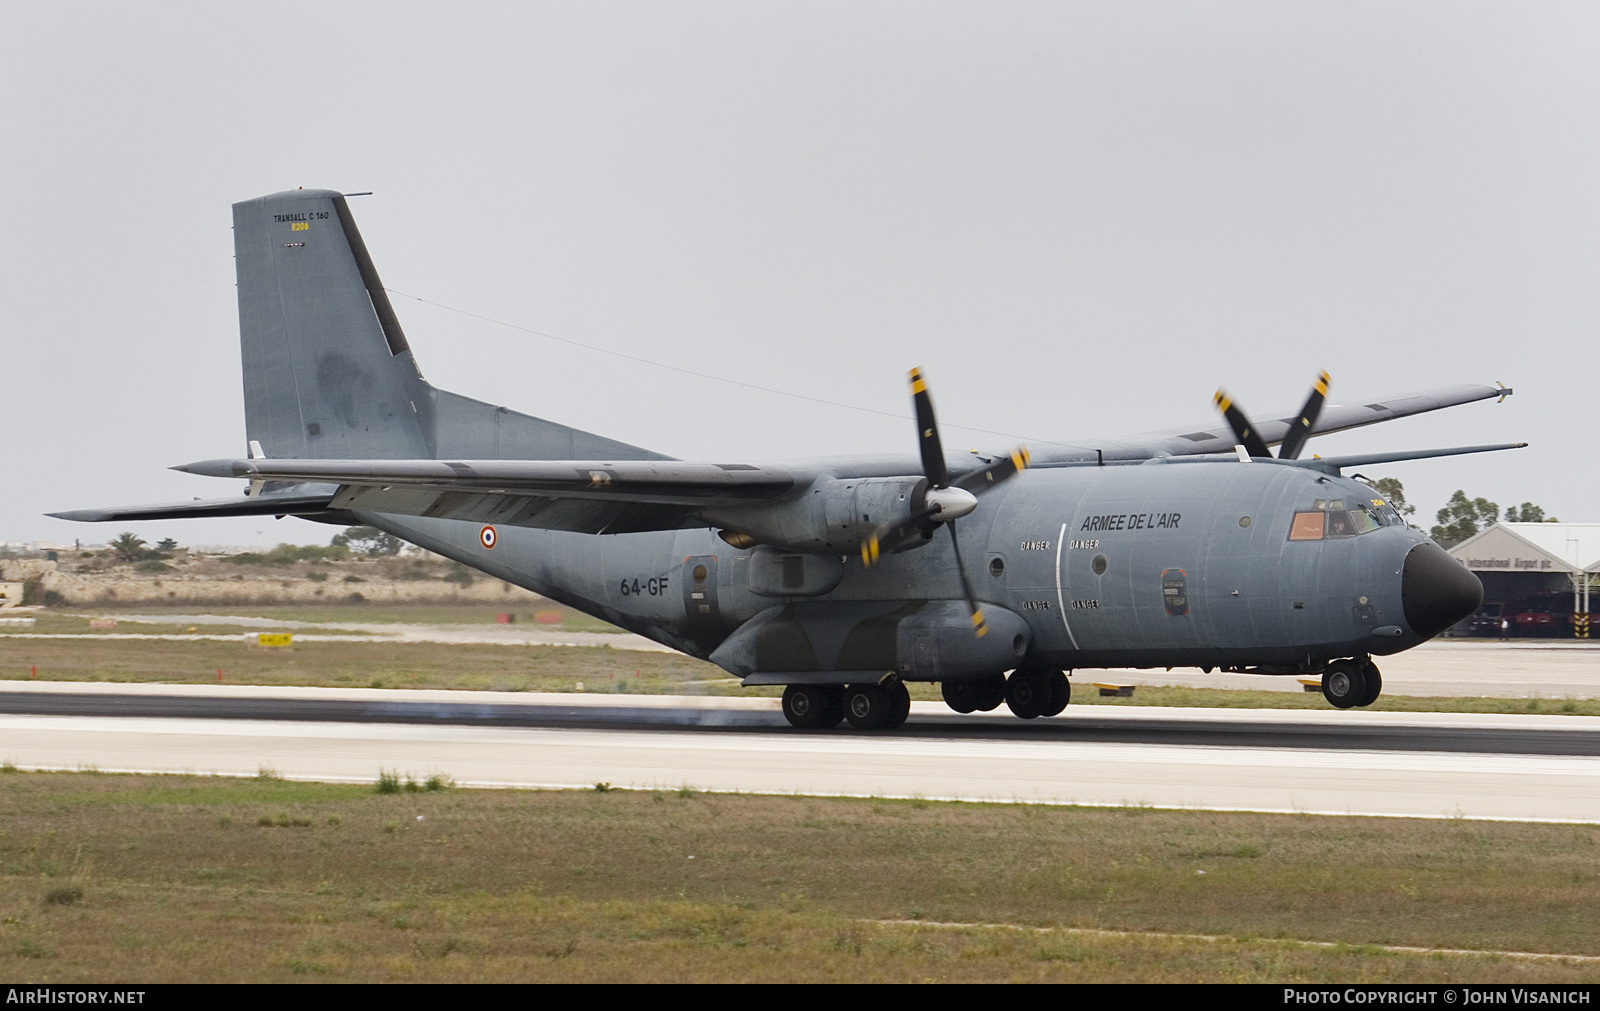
{"x":586,"y":497}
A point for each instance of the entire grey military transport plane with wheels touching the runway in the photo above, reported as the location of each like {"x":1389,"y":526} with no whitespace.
{"x":842,"y":578}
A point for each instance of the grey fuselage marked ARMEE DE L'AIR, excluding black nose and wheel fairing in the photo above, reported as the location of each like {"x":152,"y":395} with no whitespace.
{"x":1154,"y":565}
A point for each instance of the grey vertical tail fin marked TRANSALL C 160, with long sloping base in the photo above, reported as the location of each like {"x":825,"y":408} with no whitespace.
{"x":329,"y":372}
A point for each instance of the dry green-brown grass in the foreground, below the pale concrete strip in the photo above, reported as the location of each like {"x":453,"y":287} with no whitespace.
{"x":194,"y":879}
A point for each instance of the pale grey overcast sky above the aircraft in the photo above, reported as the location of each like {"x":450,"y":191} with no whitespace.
{"x":1079,"y":218}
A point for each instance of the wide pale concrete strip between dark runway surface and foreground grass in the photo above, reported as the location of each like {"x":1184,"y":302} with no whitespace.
{"x":1114,"y":775}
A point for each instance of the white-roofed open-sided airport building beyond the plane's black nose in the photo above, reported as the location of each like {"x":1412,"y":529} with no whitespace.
{"x":1537,"y":578}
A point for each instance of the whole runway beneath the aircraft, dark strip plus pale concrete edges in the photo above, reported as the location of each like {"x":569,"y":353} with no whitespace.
{"x":1431,"y":765}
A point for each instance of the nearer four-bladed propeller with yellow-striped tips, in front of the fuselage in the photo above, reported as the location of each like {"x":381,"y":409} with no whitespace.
{"x":945,"y":502}
